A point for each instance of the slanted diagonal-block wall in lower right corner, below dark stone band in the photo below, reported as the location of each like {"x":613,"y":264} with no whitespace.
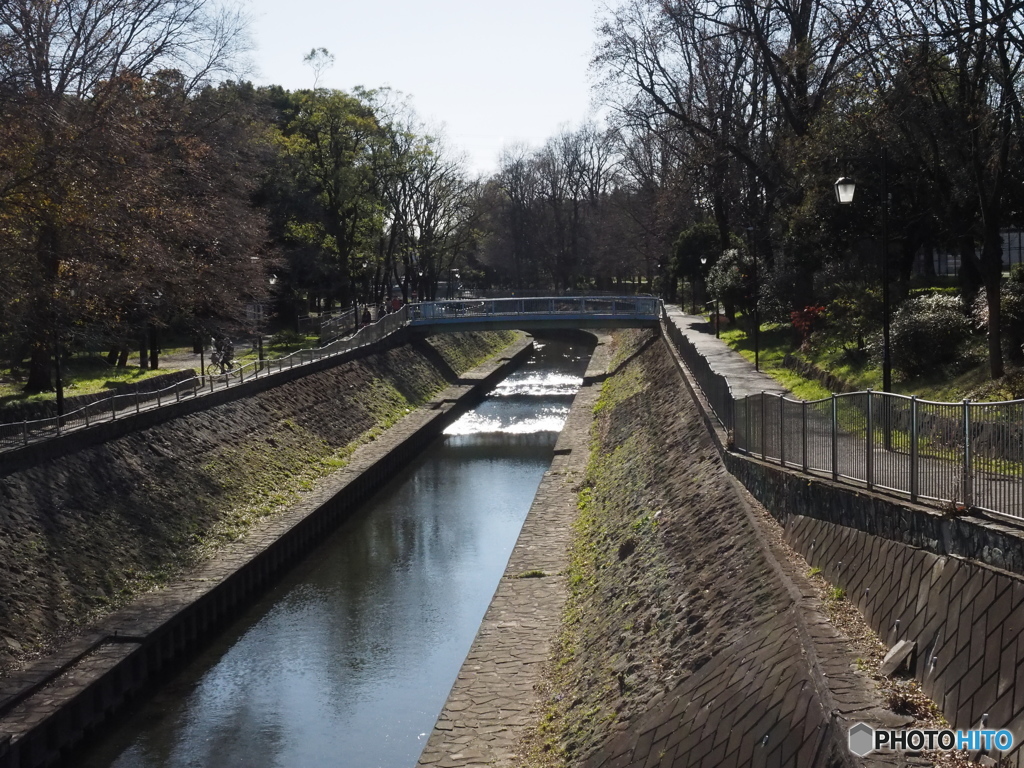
{"x":967,"y":620}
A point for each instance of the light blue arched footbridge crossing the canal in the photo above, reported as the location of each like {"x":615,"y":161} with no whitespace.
{"x":536,"y":314}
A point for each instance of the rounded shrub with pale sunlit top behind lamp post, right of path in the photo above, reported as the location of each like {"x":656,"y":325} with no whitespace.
{"x":926,"y":332}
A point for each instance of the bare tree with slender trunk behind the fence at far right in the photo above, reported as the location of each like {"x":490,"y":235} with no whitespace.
{"x":955,"y":102}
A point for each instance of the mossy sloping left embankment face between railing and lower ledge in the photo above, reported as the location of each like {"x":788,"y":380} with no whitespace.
{"x":81,"y":535}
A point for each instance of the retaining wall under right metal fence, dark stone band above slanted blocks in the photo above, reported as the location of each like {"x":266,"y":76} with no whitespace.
{"x":953,"y":585}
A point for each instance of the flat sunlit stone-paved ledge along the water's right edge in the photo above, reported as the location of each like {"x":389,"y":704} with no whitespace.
{"x":494,"y":700}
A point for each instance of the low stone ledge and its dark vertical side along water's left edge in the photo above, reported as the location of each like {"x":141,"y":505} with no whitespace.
{"x":50,"y":708}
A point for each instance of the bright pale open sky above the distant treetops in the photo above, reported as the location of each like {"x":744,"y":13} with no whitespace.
{"x":491,"y":73}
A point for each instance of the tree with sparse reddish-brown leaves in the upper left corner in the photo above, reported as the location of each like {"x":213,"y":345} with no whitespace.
{"x":73,"y":78}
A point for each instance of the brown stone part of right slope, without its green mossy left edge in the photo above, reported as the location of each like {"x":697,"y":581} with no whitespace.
{"x":763,"y":677}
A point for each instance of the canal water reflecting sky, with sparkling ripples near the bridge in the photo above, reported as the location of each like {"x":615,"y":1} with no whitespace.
{"x":350,"y":660}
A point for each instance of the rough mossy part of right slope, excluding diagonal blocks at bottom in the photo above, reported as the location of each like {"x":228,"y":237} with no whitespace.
{"x":666,"y":570}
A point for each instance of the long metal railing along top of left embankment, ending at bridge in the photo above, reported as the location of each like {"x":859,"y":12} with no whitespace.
{"x":14,"y":436}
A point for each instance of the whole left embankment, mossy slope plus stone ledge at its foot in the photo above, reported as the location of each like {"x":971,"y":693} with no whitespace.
{"x":282,"y":466}
